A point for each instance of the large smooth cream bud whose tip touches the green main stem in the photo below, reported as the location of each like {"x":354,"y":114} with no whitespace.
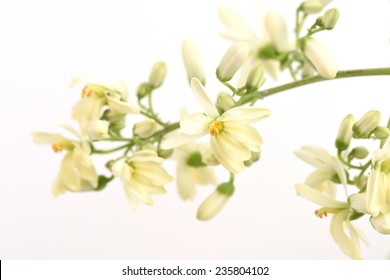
{"x":321,"y":57}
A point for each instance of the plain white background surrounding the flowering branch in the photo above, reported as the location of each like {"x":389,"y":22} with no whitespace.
{"x":44,"y":44}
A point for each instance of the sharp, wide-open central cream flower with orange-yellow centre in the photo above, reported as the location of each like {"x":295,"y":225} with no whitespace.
{"x":231,"y":138}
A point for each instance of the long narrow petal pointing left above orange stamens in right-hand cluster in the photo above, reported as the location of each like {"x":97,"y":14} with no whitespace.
{"x":318,"y":197}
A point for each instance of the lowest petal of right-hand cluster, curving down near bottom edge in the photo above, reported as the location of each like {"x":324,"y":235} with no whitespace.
{"x":349,"y":245}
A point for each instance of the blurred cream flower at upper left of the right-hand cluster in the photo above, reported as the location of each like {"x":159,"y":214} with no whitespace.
{"x":328,"y":168}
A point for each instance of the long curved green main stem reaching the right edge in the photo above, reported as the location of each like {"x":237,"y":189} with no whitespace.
{"x":340,"y":75}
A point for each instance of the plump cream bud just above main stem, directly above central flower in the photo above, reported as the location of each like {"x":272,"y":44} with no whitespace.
{"x":233,"y":59}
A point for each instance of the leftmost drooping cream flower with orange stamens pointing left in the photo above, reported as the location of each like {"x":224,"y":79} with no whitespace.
{"x":77,"y":172}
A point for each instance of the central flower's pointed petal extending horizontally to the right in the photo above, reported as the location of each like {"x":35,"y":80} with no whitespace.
{"x":244,"y":115}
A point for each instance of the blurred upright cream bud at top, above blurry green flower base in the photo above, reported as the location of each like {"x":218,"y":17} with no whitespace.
{"x":277,"y":31}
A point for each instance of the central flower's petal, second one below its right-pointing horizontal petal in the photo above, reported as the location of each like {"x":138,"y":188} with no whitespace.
{"x":230,"y":146}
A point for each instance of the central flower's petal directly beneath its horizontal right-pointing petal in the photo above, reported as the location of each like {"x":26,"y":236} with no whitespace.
{"x":245,"y":134}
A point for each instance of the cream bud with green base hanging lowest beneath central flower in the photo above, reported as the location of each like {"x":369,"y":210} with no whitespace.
{"x":215,"y":202}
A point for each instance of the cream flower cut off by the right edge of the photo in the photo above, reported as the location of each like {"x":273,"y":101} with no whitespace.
{"x":378,"y":186}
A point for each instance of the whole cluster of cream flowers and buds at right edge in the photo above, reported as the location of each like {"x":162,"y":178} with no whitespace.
{"x":365,"y":183}
